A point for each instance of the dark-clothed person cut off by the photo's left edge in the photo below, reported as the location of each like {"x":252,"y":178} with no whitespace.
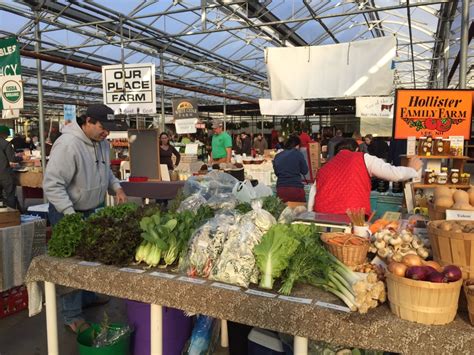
{"x":7,"y":177}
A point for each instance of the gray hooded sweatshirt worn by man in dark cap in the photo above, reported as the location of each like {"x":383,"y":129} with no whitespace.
{"x":78,"y":173}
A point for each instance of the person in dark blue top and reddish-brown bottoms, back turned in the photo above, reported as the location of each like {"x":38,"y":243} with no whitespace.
{"x":290,"y":166}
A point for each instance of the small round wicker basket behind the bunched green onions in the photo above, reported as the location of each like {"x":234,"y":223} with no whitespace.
{"x":351,"y":255}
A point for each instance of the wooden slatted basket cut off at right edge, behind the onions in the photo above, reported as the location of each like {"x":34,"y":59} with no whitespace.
{"x":451,"y":248}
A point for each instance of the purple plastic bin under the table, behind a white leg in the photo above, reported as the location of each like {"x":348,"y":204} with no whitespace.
{"x":176,"y":328}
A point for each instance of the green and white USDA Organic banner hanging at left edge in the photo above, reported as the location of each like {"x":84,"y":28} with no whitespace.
{"x":10,"y":66}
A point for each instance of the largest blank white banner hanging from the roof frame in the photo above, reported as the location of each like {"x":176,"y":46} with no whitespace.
{"x":362,"y":68}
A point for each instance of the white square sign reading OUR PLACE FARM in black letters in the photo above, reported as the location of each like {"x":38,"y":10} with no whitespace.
{"x":130,"y":88}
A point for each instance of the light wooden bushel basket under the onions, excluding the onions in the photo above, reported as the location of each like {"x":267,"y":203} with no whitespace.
{"x":422,"y":301}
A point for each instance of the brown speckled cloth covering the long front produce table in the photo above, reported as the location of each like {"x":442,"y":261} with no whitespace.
{"x":379,"y":329}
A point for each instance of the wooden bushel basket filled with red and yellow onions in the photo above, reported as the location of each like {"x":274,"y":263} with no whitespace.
{"x":423,"y":291}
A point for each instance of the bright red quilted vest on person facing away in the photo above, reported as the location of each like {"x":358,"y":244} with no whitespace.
{"x":343,"y":183}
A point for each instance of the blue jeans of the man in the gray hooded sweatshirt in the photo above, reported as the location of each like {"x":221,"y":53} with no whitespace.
{"x":71,"y":304}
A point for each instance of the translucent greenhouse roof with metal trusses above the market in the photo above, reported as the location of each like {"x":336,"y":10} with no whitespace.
{"x":225,"y":39}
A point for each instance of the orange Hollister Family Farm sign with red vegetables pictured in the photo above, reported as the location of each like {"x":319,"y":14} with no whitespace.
{"x":436,"y":113}
